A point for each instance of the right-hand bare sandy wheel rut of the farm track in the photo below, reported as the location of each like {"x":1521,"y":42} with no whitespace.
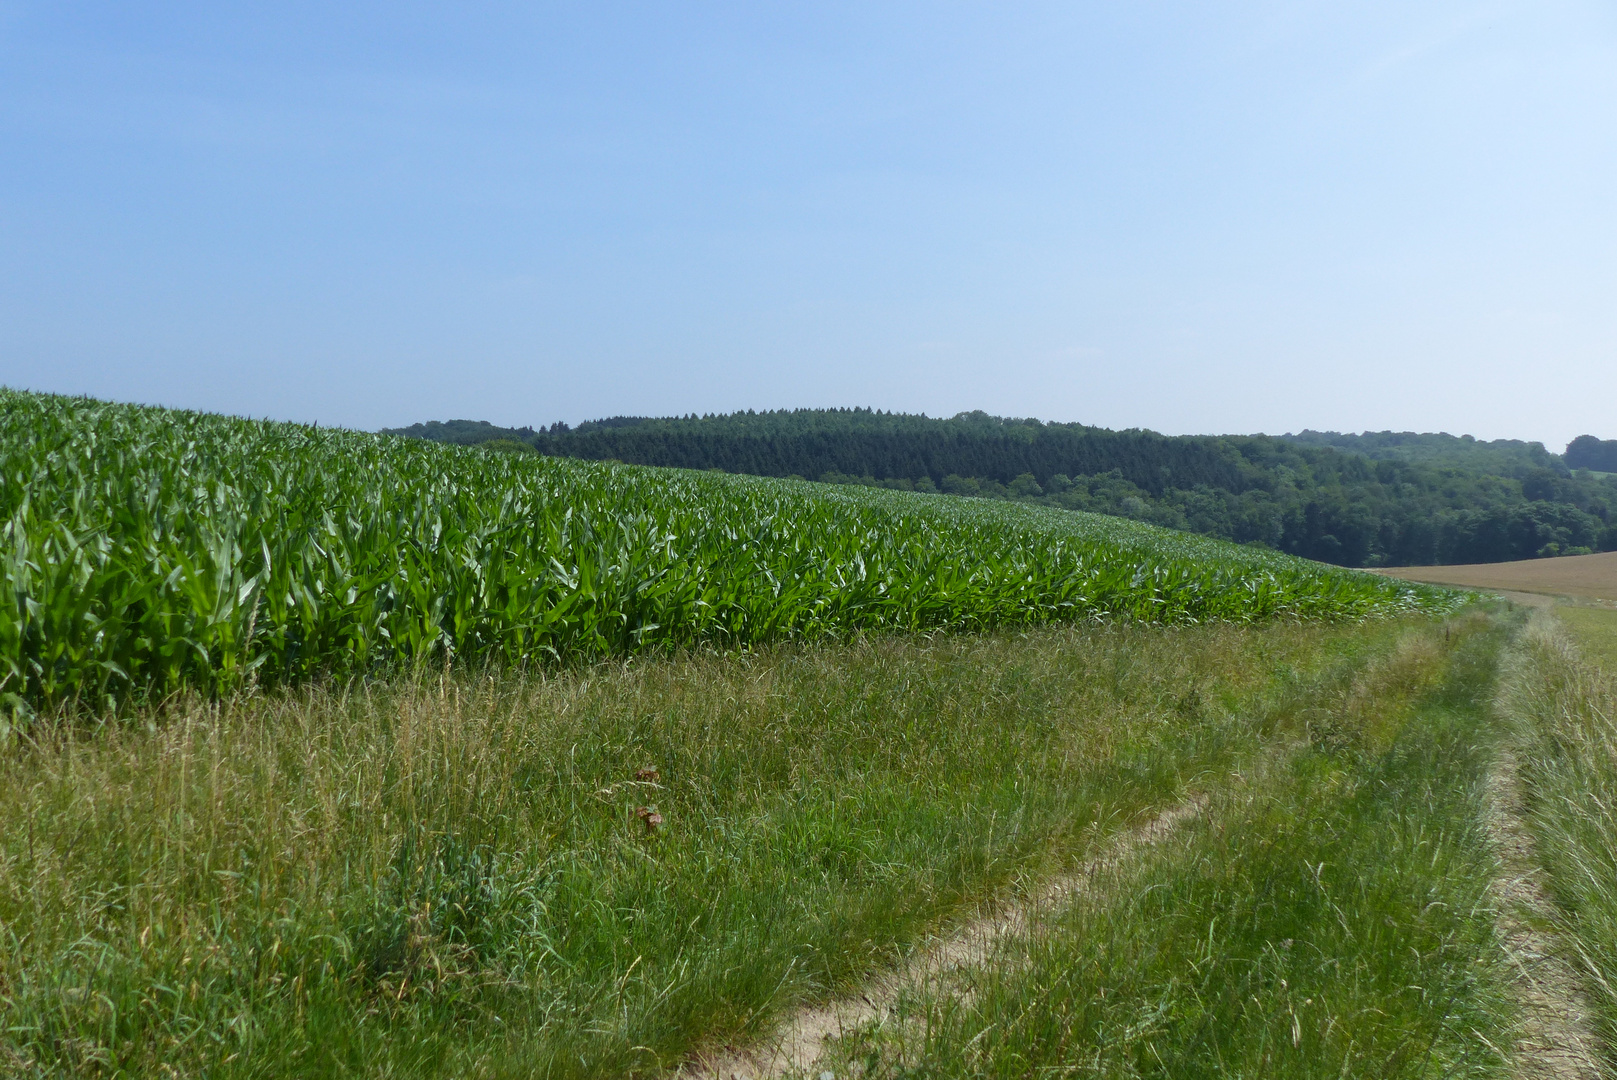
{"x":1556,"y":1040}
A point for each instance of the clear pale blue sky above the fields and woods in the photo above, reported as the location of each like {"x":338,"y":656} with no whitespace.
{"x":1193,"y":217}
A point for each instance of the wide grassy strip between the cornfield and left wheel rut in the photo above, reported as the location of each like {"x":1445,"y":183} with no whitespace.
{"x":450,"y":879}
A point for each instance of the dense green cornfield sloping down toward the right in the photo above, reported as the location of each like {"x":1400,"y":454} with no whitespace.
{"x":150,"y":552}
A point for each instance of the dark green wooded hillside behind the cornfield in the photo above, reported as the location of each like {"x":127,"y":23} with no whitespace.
{"x":1357,"y":500}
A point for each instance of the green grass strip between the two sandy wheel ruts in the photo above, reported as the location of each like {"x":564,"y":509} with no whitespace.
{"x":1330,"y":918}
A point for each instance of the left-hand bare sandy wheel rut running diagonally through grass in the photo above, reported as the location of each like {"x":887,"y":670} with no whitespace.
{"x":800,"y":1042}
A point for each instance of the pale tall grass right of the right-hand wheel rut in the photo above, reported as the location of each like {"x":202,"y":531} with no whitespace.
{"x":1566,"y":709}
